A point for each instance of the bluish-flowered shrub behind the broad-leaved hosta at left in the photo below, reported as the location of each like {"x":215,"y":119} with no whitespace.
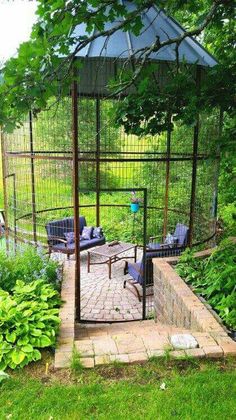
{"x":29,"y":265}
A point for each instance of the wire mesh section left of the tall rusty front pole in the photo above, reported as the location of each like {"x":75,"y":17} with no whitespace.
{"x":38,"y":173}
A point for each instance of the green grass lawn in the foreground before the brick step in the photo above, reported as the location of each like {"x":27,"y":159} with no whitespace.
{"x":194,"y":390}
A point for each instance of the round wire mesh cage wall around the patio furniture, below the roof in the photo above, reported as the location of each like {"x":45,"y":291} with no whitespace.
{"x":57,"y":194}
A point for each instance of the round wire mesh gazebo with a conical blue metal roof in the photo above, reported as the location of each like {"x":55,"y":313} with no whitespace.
{"x":72,"y":160}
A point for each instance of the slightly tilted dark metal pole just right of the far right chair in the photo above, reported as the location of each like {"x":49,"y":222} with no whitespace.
{"x":194,"y":168}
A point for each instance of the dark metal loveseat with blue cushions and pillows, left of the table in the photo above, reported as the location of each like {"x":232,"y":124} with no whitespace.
{"x":57,"y":241}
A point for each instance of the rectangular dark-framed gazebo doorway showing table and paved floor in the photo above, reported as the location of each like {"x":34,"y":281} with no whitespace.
{"x":106,"y":292}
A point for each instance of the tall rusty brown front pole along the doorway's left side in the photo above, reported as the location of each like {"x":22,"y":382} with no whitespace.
{"x":75,"y":147}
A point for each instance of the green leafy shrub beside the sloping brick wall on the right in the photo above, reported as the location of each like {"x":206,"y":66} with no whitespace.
{"x":214,"y":278}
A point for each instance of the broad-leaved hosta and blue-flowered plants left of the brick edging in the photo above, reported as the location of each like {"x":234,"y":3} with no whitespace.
{"x":29,"y":306}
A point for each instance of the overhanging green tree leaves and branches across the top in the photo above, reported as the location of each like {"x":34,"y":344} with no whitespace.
{"x":39,"y":71}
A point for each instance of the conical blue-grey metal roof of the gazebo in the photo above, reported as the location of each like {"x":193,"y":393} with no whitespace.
{"x":156,"y":24}
